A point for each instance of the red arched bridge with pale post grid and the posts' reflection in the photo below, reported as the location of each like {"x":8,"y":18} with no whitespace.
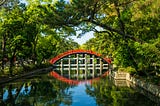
{"x":80,"y":64}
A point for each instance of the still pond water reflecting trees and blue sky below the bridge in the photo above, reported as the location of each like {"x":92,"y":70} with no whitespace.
{"x":45,"y":90}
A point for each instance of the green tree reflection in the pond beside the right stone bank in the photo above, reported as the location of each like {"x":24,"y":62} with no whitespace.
{"x":107,"y":94}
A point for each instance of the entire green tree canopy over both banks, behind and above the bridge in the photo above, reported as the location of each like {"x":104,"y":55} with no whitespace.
{"x":128,"y":31}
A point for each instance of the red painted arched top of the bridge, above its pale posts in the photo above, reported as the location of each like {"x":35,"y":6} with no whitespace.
{"x":55,"y":59}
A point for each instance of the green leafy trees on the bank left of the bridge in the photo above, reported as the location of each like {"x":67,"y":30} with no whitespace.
{"x":25,"y":36}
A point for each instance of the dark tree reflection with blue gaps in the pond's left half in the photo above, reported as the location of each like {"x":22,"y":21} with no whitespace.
{"x":35,"y":92}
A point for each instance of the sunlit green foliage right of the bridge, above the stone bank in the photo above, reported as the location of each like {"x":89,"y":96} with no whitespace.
{"x":140,"y":20}
